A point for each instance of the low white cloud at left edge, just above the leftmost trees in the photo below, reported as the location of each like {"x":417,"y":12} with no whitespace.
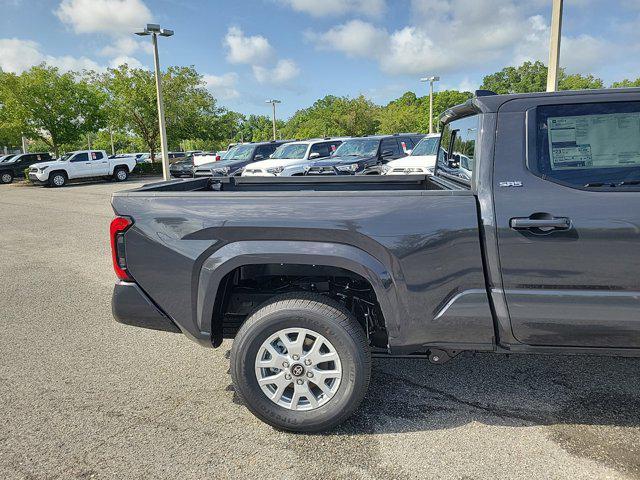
{"x":17,"y":55}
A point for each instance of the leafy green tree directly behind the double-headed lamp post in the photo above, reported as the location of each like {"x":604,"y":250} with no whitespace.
{"x":190,"y":110}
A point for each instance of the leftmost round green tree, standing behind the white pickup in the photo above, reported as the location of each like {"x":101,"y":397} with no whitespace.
{"x":57,"y":108}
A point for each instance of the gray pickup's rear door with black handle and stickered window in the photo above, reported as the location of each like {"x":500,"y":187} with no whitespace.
{"x":567,"y":202}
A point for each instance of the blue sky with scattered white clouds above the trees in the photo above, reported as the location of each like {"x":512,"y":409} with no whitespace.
{"x":301,"y":50}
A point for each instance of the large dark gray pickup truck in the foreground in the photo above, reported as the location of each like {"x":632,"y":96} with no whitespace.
{"x":539,"y":252}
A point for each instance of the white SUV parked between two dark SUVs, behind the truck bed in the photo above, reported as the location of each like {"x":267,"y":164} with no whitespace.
{"x":292,"y":158}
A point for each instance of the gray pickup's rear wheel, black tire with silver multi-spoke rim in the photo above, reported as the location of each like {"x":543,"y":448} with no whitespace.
{"x":328,"y":327}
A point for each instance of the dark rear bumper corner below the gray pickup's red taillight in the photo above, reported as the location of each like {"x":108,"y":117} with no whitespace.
{"x":131,"y":306}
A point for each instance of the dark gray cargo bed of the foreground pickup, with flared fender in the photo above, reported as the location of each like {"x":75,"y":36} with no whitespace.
{"x":417,"y":236}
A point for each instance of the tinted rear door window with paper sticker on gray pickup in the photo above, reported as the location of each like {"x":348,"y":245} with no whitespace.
{"x":595,"y":145}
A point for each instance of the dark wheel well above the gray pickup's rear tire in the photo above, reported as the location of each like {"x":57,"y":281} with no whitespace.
{"x":242,"y":290}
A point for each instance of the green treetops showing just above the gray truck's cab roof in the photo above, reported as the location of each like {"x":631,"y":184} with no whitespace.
{"x":532,"y":77}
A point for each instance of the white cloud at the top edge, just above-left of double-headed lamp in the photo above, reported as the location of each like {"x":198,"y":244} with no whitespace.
{"x":114,"y":17}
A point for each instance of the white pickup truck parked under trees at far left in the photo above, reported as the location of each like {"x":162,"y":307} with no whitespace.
{"x":81,"y":164}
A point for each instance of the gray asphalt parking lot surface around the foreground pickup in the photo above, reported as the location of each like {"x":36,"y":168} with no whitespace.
{"x":84,"y":397}
